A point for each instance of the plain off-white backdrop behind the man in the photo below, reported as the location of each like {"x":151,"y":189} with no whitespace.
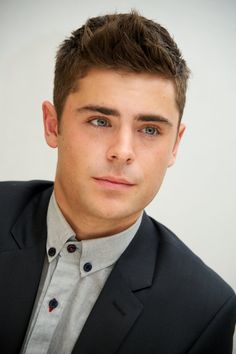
{"x":197,"y":200}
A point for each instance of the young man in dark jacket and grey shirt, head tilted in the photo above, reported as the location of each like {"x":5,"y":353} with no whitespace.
{"x":83,"y":269}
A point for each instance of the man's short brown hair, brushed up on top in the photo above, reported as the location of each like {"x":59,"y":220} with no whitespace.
{"x":128,"y":42}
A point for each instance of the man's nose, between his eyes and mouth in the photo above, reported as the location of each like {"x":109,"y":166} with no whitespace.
{"x":121,"y":149}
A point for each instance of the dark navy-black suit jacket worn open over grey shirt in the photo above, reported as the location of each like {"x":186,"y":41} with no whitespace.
{"x":160,"y":298}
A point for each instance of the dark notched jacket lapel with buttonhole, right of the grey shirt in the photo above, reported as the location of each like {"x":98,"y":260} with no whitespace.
{"x":118,"y":307}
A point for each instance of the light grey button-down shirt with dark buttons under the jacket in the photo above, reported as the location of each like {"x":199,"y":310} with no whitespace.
{"x":73,"y":276}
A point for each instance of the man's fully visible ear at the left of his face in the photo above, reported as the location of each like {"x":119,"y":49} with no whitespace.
{"x":50,"y":124}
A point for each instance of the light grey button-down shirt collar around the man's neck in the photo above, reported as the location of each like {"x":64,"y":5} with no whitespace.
{"x":99,"y":252}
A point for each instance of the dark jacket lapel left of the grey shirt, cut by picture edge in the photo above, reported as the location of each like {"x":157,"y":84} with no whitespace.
{"x":24,"y":264}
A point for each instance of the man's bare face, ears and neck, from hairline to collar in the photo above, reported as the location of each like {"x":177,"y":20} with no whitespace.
{"x":117,"y":136}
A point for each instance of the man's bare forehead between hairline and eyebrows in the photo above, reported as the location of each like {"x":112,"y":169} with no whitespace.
{"x":126,"y":92}
